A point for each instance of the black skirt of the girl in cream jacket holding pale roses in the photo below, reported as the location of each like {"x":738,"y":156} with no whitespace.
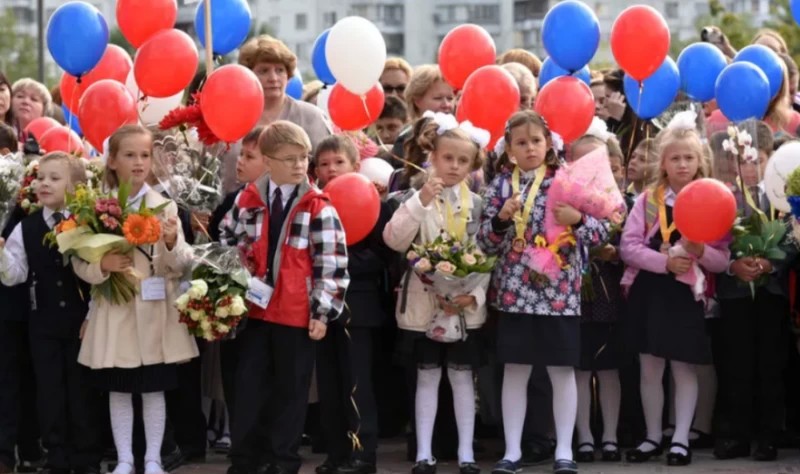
{"x":416,"y":349}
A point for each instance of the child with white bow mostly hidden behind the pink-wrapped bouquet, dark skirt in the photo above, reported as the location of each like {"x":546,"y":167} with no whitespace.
{"x":600,"y":341}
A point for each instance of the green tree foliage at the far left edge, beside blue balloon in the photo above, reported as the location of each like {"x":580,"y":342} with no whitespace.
{"x":18,"y":55}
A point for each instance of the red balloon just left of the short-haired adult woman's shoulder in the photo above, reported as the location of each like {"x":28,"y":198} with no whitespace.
{"x":232,"y":102}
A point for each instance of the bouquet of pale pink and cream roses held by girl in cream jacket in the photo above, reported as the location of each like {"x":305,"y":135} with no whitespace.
{"x":450,"y":268}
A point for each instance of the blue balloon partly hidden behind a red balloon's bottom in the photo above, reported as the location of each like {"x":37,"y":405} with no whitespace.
{"x":657,"y":91}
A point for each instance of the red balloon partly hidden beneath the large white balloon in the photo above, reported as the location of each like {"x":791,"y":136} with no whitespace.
{"x":353,"y":112}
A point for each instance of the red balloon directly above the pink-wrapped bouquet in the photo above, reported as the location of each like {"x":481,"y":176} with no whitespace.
{"x":567,"y":104}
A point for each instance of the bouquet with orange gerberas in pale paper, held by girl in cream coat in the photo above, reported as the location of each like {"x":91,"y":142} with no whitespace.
{"x":101,"y":223}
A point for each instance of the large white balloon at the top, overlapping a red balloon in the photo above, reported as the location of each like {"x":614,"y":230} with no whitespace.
{"x":356,"y":53}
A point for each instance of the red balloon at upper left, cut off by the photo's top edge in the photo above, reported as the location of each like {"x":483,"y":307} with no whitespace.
{"x":138,"y":20}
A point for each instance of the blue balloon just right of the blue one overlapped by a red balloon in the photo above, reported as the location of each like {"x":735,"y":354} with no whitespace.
{"x":700,"y":65}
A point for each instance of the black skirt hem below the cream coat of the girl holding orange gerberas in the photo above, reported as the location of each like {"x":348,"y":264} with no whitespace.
{"x":143,"y":379}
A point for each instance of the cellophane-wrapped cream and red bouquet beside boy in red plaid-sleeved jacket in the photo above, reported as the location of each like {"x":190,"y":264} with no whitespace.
{"x":214,"y":305}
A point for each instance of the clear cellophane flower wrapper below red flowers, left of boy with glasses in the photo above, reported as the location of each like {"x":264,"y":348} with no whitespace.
{"x":189,"y":172}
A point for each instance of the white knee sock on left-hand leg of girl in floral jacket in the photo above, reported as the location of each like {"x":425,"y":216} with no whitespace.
{"x":514,"y":404}
